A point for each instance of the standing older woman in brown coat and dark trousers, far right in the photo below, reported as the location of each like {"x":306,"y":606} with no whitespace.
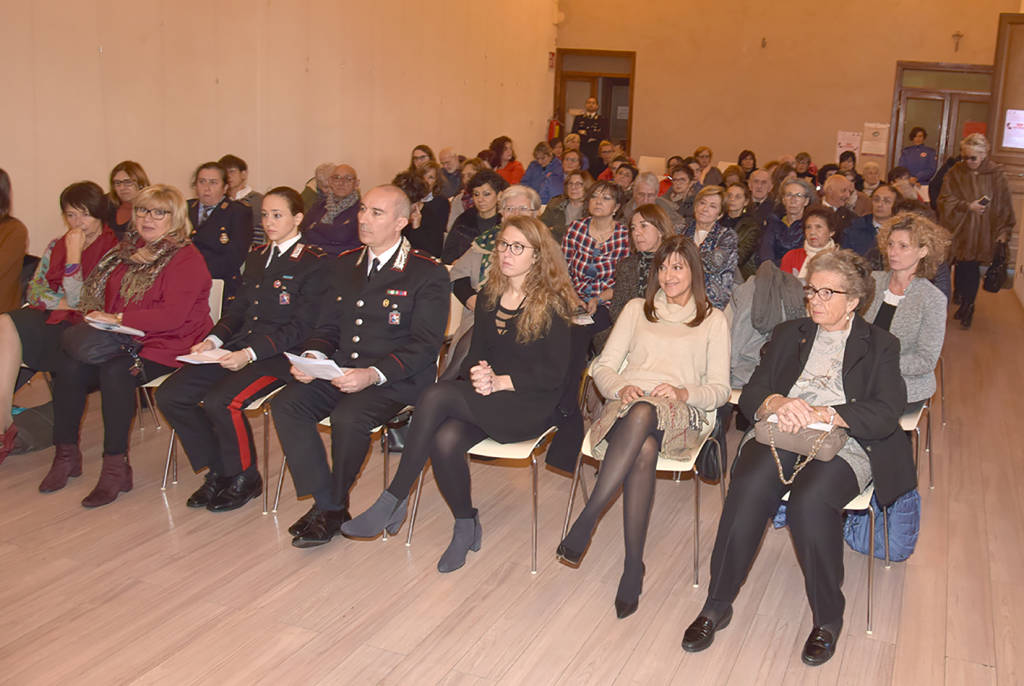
{"x":975,"y":205}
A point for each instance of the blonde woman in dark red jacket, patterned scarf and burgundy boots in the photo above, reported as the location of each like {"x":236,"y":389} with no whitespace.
{"x":155,"y":281}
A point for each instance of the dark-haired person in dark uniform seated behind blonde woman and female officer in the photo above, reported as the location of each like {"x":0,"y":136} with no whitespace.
{"x":222,"y":229}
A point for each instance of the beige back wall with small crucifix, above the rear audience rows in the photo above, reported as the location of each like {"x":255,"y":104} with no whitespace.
{"x":703,"y":77}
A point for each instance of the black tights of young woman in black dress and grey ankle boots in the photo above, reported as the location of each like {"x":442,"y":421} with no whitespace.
{"x":444,"y":431}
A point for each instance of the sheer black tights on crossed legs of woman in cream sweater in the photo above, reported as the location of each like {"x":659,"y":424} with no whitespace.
{"x":630,"y":463}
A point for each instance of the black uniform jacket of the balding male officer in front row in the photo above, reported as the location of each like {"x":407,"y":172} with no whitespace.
{"x":395,"y":323}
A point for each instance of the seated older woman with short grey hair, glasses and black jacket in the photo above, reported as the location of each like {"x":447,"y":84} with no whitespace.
{"x":833,"y":369}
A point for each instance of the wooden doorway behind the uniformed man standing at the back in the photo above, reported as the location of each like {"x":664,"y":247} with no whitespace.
{"x":607,"y":75}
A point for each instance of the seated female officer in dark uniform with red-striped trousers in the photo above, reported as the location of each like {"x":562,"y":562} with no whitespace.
{"x":275,"y":312}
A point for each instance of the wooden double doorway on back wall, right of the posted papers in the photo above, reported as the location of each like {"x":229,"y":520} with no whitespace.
{"x":948,"y":101}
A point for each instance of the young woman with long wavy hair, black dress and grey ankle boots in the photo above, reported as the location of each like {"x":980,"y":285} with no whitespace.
{"x":509,"y":389}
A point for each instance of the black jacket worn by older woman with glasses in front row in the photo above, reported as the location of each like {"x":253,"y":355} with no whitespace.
{"x":875,"y":392}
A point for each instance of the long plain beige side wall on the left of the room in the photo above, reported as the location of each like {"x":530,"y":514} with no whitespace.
{"x":283,"y":84}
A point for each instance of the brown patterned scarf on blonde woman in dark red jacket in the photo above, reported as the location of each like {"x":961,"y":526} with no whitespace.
{"x":138,"y":280}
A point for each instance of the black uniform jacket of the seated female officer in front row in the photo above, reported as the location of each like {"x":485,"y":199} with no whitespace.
{"x":276,"y":310}
